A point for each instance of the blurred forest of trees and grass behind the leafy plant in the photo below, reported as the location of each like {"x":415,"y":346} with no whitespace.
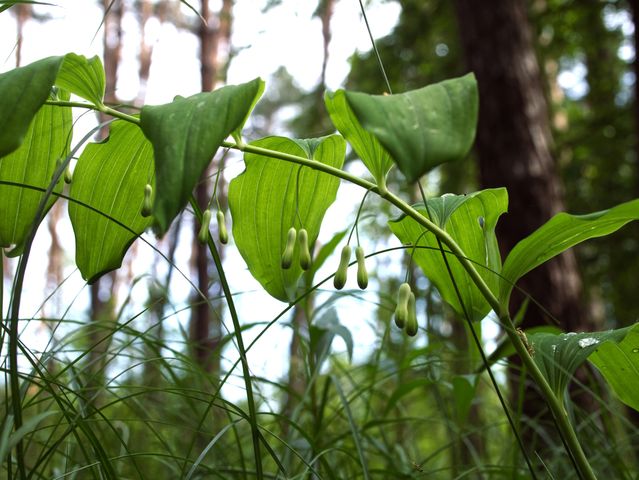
{"x":558,"y":127}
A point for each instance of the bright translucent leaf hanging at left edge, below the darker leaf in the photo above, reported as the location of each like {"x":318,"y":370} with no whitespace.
{"x":46,"y":141}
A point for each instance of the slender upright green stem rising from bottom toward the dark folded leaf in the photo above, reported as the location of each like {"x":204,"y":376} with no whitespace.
{"x":255,"y":433}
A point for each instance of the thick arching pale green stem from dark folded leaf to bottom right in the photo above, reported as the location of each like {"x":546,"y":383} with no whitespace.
{"x":554,"y":403}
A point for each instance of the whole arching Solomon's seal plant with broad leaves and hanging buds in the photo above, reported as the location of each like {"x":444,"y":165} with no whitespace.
{"x":112,"y":202}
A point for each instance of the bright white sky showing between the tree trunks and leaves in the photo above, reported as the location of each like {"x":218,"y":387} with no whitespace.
{"x":287,"y":35}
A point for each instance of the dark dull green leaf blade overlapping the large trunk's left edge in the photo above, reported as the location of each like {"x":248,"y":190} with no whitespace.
{"x":422,"y":128}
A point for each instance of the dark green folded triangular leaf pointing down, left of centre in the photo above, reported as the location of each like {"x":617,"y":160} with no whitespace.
{"x":185,"y":135}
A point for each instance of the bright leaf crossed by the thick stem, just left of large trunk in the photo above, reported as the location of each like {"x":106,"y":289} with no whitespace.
{"x":470,"y":220}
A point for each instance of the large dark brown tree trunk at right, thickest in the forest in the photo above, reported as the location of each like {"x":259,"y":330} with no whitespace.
{"x":513,"y":146}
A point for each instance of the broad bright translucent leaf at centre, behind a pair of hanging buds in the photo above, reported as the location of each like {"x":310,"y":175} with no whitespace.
{"x":263,"y":205}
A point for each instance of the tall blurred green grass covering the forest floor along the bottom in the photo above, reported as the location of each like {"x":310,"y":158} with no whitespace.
{"x":150,"y":411}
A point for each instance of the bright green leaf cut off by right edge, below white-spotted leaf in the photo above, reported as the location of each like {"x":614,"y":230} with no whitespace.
{"x":619,"y":365}
